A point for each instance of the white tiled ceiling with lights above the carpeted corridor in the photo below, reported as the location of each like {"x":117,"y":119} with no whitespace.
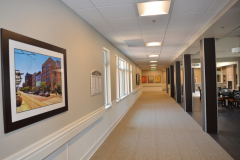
{"x":120,"y":23}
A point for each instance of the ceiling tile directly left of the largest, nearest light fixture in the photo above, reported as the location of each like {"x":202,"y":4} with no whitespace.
{"x":117,"y":12}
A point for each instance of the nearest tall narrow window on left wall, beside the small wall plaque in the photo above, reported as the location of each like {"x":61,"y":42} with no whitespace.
{"x":107,"y":77}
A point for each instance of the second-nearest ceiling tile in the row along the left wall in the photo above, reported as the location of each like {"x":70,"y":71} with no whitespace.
{"x":90,"y":14}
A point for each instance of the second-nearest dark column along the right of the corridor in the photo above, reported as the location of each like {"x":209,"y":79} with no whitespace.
{"x":187,"y":70}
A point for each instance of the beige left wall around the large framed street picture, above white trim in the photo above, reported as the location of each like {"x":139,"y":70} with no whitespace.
{"x":53,"y":22}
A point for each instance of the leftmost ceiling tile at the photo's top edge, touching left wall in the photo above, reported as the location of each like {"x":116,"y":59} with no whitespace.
{"x":76,"y":4}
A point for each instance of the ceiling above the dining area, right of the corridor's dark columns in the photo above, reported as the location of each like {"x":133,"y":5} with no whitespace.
{"x":226,"y":30}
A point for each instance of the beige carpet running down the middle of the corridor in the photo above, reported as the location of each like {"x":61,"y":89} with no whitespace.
{"x":156,"y":127}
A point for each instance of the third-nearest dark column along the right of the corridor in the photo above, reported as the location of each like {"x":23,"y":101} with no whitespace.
{"x":178,"y":82}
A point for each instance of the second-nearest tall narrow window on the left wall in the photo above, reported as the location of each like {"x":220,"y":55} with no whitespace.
{"x":122,"y":80}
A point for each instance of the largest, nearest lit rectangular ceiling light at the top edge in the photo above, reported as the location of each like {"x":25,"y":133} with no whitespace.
{"x":153,"y":8}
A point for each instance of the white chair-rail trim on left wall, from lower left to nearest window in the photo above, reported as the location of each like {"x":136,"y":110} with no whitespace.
{"x":46,"y":146}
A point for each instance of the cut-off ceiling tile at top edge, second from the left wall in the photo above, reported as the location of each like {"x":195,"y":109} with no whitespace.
{"x":101,"y":3}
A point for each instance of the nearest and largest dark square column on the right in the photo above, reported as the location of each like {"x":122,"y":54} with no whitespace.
{"x":209,"y":85}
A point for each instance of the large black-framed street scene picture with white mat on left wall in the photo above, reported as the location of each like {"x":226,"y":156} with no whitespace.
{"x":34,"y":80}
